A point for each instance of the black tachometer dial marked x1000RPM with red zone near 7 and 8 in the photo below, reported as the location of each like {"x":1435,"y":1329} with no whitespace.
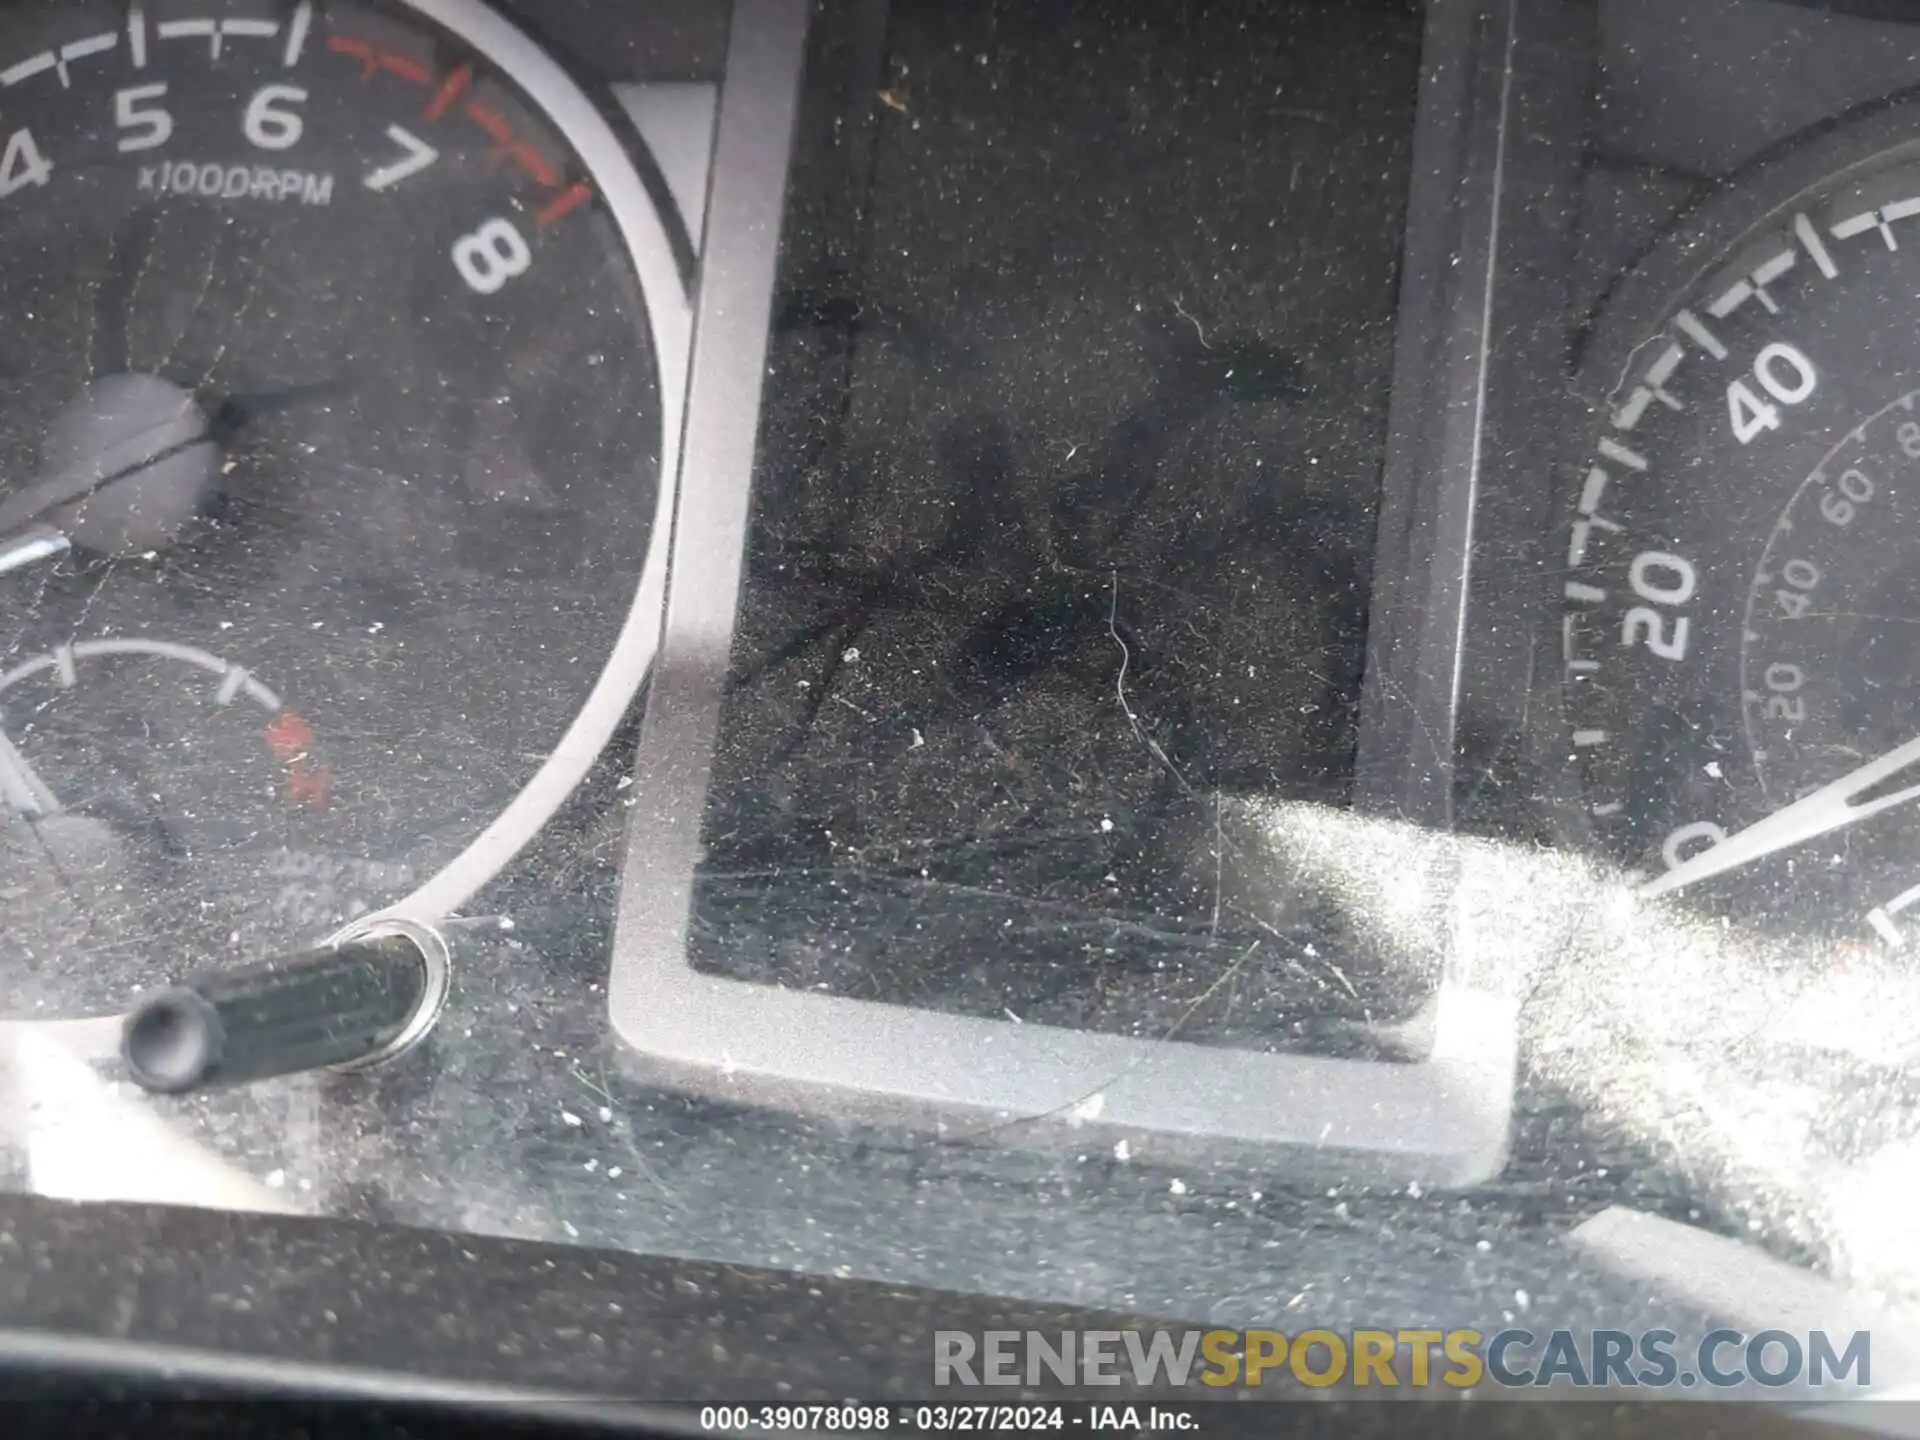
{"x":329,"y":354}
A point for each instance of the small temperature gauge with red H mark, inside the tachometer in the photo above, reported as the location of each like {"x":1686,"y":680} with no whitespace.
{"x":132,"y":769}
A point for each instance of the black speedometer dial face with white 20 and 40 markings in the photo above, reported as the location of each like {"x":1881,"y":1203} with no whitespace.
{"x":1742,"y":598}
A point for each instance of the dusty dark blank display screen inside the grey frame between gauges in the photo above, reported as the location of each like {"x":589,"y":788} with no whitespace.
{"x":1059,"y":558}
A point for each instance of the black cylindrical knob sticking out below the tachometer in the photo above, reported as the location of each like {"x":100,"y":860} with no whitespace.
{"x":354,"y":1003}
